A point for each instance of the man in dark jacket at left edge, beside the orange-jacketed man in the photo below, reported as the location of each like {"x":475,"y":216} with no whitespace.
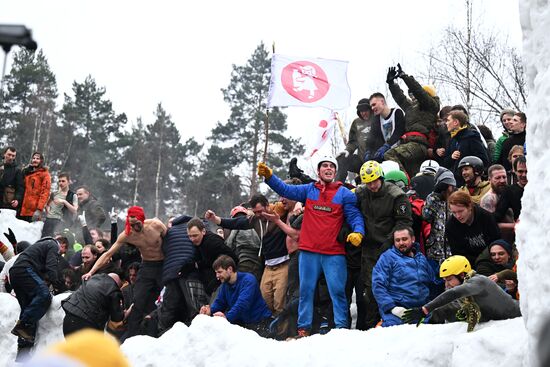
{"x":11,"y":181}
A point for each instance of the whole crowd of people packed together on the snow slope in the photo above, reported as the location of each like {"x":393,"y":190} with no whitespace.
{"x":415,"y":218}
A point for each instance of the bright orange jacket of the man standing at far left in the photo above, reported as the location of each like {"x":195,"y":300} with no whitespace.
{"x":37,"y":191}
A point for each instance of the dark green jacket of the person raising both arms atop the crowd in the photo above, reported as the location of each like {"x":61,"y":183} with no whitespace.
{"x":420,"y":116}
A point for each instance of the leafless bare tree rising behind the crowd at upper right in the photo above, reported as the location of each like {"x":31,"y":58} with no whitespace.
{"x":481,"y":69}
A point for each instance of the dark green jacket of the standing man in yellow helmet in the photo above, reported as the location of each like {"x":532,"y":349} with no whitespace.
{"x":383,"y":211}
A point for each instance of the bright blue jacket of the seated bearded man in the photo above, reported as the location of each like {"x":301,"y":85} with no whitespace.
{"x":399,"y":280}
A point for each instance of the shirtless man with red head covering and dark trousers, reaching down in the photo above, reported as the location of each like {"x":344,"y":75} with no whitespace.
{"x":146,"y":235}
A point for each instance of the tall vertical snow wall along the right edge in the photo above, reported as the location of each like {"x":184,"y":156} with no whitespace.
{"x":535,"y":218}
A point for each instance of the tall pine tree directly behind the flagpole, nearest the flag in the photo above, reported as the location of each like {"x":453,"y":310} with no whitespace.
{"x":244,"y":130}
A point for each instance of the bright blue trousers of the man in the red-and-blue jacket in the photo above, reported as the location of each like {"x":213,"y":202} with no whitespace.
{"x":334,"y":267}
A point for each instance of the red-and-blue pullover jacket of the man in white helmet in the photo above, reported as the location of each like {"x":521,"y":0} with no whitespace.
{"x":326,"y":207}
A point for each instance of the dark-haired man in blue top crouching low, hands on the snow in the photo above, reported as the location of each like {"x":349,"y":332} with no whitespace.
{"x":239,"y":299}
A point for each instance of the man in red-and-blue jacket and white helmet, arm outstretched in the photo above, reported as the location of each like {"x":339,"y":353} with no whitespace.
{"x":327,"y":205}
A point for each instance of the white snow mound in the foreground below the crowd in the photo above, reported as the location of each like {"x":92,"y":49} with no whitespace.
{"x":213,"y":341}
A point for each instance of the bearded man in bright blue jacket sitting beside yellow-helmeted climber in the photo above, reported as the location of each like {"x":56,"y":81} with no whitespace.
{"x":401,"y":278}
